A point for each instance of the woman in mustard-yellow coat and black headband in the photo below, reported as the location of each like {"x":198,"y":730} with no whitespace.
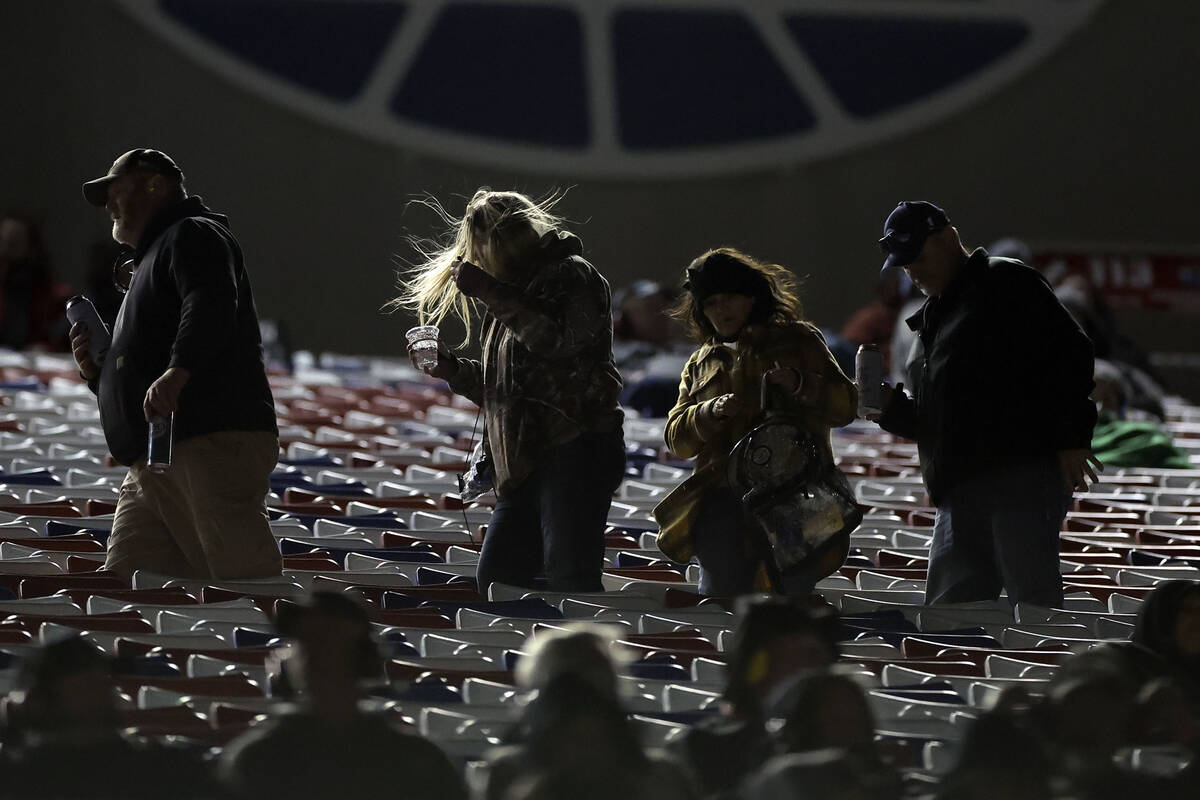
{"x":747,"y":317}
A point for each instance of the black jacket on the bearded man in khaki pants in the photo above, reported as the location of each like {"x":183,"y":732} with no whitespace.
{"x":189,"y":306}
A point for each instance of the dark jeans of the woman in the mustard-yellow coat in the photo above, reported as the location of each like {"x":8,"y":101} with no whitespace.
{"x":730,"y":549}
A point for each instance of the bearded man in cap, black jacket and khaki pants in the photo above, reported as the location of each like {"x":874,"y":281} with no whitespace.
{"x":185,"y":345}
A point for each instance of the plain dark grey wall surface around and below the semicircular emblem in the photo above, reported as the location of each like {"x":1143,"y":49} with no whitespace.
{"x":1095,"y":145}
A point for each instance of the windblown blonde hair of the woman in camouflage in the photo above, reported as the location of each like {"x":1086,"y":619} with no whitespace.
{"x":497,"y":227}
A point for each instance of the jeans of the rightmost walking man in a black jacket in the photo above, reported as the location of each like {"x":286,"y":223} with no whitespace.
{"x":1001,"y":532}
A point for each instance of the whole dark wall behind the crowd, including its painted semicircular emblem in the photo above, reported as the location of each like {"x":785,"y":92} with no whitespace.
{"x":1067,"y":123}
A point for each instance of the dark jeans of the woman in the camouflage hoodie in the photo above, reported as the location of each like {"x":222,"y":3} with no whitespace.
{"x":556,"y":519}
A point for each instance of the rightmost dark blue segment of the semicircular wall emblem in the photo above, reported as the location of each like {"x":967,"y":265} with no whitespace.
{"x":875,"y":65}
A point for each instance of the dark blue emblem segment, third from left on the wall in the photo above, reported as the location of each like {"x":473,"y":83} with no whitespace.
{"x":699,"y":79}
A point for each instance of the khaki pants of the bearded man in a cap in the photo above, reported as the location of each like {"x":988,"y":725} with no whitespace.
{"x":206,"y":518}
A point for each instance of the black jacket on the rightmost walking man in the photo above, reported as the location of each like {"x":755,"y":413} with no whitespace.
{"x":1004,"y":376}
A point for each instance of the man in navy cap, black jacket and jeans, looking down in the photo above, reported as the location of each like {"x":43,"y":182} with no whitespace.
{"x":1001,"y":414}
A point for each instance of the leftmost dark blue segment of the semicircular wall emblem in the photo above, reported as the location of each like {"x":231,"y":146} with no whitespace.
{"x":327,"y":46}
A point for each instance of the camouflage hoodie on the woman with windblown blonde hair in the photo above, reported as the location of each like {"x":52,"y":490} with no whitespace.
{"x":548,"y":374}
